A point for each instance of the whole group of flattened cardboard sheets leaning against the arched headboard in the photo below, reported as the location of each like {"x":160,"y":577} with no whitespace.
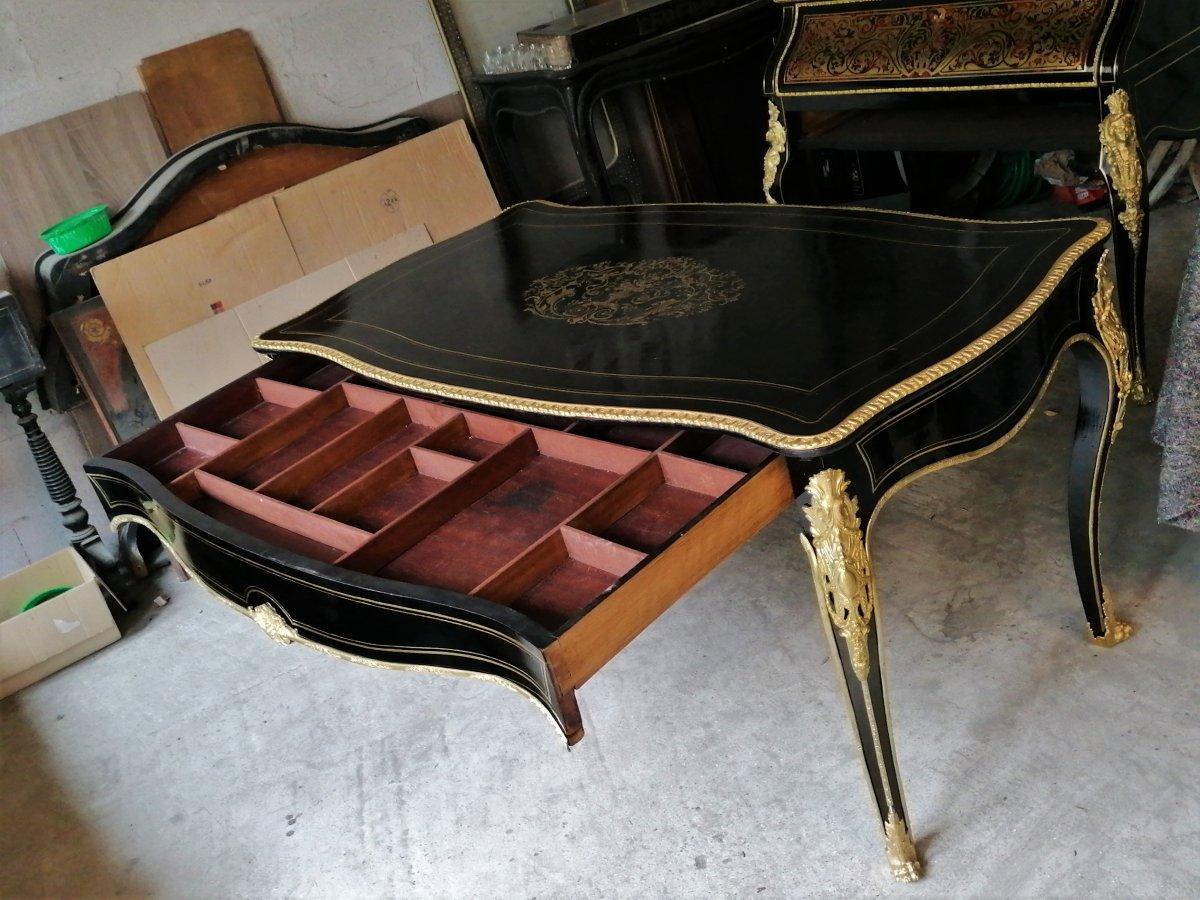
{"x":177,"y":295}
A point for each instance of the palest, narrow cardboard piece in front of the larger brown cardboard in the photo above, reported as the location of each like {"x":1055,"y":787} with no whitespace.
{"x":195,"y":362}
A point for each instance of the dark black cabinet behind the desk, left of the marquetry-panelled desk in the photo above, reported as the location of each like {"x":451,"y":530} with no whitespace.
{"x":658,"y":119}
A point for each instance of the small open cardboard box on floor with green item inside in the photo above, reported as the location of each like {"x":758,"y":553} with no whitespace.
{"x":57,"y":633}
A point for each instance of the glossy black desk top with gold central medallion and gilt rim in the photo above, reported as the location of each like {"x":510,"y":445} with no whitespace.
{"x":789,"y":326}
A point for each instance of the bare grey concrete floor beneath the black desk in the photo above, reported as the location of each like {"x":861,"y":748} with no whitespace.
{"x":196,"y":758}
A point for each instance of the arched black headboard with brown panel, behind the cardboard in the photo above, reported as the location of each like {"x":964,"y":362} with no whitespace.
{"x":207,"y":179}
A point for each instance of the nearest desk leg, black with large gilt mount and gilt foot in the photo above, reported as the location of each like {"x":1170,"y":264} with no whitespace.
{"x":845,"y":587}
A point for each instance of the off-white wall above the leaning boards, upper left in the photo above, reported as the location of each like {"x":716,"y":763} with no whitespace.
{"x":334,"y":63}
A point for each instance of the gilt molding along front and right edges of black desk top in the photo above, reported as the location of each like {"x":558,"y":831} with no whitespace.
{"x":735,"y":425}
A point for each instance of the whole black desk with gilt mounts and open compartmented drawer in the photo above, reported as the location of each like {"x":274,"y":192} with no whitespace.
{"x":507,"y":455}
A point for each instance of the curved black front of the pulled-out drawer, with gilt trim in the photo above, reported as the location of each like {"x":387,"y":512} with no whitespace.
{"x":368,"y":621}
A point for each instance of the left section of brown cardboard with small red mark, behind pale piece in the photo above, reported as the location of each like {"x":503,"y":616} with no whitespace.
{"x":191,"y":277}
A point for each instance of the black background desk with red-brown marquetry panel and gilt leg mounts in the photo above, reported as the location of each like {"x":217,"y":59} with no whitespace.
{"x":1015,"y":75}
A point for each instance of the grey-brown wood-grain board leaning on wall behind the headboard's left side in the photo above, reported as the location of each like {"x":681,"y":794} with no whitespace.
{"x":100,"y":154}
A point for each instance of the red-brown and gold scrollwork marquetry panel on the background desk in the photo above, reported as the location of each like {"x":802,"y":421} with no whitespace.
{"x":895,"y":46}
